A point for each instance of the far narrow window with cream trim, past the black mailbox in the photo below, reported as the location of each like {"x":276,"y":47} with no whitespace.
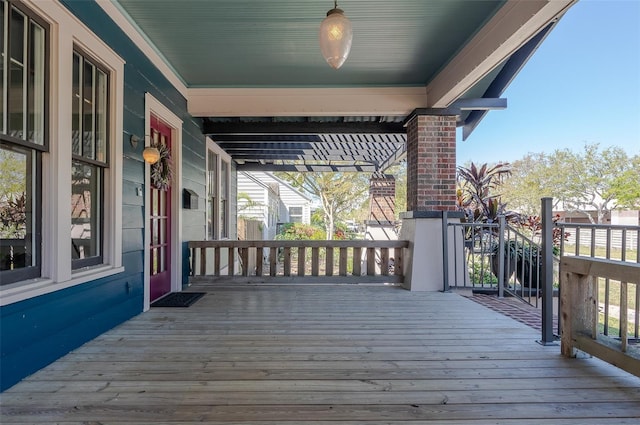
{"x":218,"y":177}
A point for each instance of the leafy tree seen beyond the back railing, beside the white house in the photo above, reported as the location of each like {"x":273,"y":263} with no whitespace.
{"x":338,"y":193}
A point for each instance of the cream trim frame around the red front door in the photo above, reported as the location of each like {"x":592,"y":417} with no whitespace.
{"x":155,"y":107}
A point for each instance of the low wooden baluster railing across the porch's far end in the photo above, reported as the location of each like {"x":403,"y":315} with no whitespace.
{"x":353,"y":261}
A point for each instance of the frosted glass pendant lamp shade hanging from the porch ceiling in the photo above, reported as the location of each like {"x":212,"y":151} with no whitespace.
{"x":335,"y":38}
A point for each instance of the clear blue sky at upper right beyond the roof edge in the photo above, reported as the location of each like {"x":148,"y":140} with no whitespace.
{"x":582,"y":85}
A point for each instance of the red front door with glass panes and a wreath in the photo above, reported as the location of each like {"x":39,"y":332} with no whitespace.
{"x":160,"y":222}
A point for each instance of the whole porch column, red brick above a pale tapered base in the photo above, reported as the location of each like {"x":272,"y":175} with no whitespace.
{"x":431,"y":199}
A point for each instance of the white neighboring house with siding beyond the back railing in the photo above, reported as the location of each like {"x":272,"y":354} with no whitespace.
{"x":271,"y":200}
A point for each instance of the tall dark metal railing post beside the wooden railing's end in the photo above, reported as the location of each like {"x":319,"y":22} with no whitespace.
{"x":547,"y":273}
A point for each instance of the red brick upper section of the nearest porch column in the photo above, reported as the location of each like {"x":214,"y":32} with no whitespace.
{"x":431,"y":163}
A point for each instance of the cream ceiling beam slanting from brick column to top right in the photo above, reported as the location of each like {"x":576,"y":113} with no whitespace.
{"x":511,"y":27}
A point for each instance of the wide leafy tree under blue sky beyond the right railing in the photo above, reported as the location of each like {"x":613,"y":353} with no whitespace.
{"x":594,"y":180}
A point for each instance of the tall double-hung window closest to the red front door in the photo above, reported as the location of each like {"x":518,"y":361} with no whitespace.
{"x":89,"y":149}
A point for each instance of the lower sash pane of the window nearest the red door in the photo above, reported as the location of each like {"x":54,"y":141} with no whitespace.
{"x":85,"y":211}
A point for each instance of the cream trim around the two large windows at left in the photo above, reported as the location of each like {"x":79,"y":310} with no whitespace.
{"x":66,"y":32}
